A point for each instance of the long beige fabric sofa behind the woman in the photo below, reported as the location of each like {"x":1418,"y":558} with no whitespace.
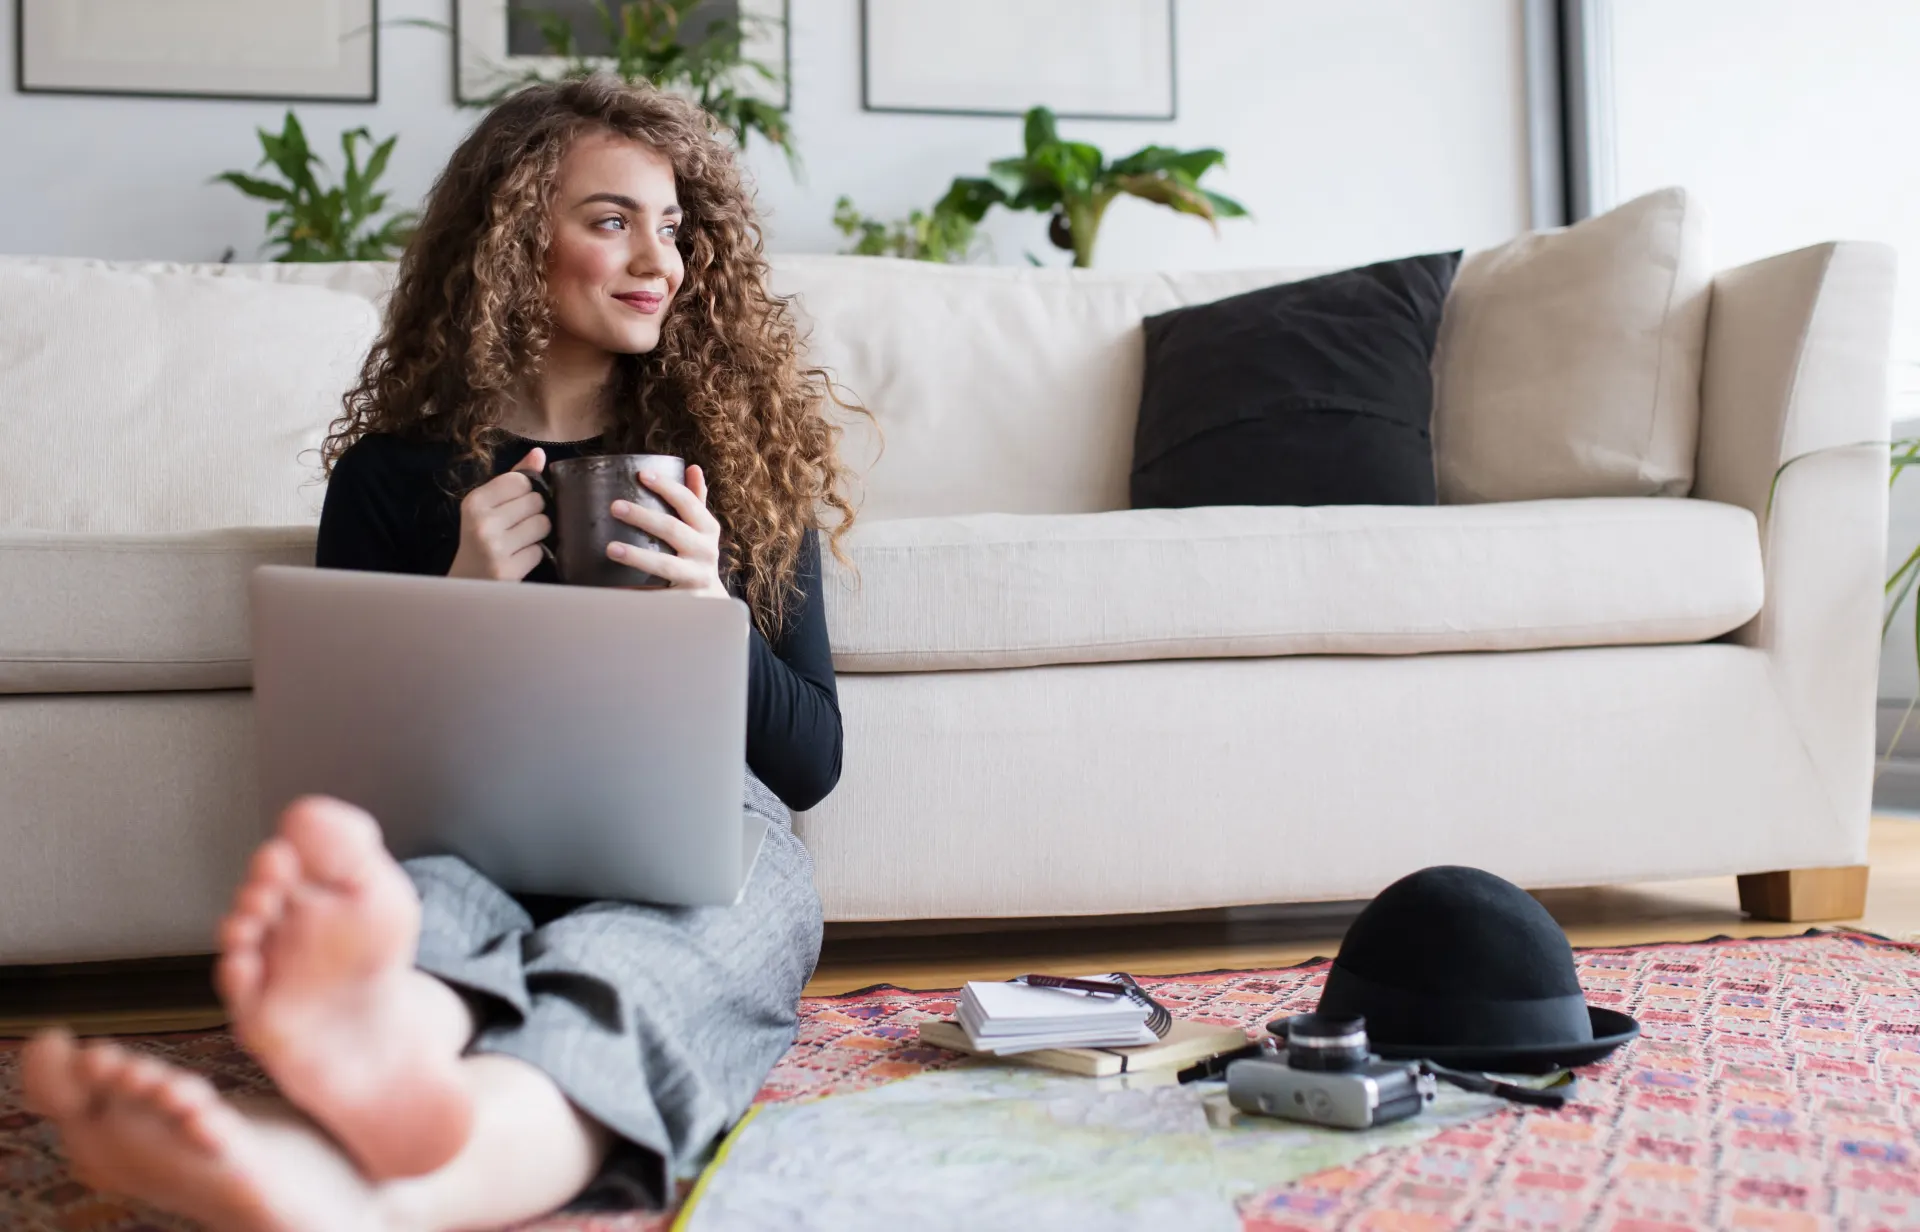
{"x":1604,"y":659}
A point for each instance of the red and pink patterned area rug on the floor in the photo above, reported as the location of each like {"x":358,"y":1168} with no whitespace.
{"x":1777,"y":1087}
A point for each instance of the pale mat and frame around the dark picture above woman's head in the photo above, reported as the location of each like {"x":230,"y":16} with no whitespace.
{"x":483,"y":45}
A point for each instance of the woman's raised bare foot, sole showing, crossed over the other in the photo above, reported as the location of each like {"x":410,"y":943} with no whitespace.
{"x":318,"y":974}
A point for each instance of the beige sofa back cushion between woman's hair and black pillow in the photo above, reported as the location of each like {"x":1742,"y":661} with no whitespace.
{"x":994,"y":389}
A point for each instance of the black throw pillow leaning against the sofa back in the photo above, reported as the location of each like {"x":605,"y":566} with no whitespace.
{"x":1310,"y":392}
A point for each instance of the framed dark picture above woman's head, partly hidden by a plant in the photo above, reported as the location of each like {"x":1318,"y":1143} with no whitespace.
{"x":500,"y":41}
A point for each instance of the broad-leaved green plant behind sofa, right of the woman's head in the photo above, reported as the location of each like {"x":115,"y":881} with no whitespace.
{"x":1074,"y":183}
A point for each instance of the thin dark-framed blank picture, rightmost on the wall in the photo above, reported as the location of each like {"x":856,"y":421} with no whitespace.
{"x":1082,"y":59}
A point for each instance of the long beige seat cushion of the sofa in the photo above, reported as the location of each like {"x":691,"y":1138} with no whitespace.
{"x":133,"y":613}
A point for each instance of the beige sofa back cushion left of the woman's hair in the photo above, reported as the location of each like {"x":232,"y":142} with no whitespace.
{"x":158,"y":402}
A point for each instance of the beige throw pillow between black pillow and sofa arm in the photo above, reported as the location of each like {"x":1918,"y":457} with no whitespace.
{"x":1570,"y":360}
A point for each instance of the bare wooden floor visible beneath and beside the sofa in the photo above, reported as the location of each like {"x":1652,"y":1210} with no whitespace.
{"x":174,"y":995}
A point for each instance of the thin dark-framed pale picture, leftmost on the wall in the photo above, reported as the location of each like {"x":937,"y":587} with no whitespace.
{"x":281,"y":51}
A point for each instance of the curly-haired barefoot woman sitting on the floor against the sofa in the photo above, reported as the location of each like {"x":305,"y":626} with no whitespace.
{"x":587,"y":279}
